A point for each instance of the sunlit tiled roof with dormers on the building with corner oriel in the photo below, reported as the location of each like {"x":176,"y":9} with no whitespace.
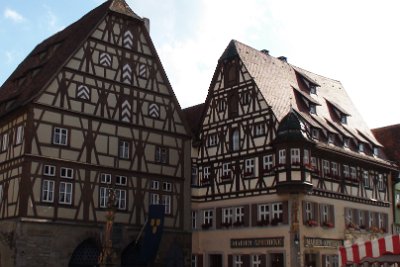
{"x":279,"y":81}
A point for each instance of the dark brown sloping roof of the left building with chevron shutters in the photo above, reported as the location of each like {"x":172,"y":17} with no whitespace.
{"x":48,"y":57}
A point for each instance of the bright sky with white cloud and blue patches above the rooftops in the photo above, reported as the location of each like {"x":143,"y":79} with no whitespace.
{"x":354,"y":41}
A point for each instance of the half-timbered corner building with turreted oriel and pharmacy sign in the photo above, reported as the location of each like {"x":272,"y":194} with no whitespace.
{"x":284,"y":169}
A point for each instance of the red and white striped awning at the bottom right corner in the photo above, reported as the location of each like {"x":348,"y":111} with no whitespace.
{"x":375,"y":249}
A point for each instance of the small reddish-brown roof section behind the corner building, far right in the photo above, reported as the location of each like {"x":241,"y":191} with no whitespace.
{"x":389,"y":137}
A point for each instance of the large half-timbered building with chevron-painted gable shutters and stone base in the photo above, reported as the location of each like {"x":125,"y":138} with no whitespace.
{"x":90,"y":114}
